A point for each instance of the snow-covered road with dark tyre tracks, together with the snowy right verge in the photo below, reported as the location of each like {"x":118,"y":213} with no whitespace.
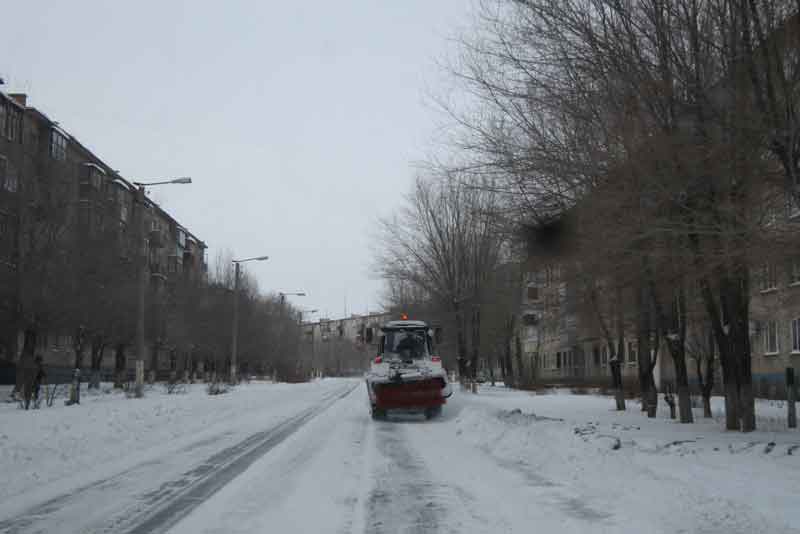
{"x":500,"y":461}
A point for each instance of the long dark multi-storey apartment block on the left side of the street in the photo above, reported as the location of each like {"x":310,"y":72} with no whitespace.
{"x":51,"y":184}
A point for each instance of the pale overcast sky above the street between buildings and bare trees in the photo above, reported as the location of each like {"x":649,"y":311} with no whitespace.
{"x":298,"y":121}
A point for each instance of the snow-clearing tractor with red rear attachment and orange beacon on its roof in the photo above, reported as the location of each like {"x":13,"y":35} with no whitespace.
{"x":406,"y":374}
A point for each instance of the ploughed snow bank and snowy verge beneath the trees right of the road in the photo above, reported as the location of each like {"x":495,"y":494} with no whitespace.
{"x":644,"y":472}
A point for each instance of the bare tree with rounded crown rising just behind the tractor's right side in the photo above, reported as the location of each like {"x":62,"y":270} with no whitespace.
{"x":443,"y":243}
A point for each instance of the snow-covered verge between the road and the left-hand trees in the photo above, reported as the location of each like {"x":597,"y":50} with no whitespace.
{"x":51,"y":450}
